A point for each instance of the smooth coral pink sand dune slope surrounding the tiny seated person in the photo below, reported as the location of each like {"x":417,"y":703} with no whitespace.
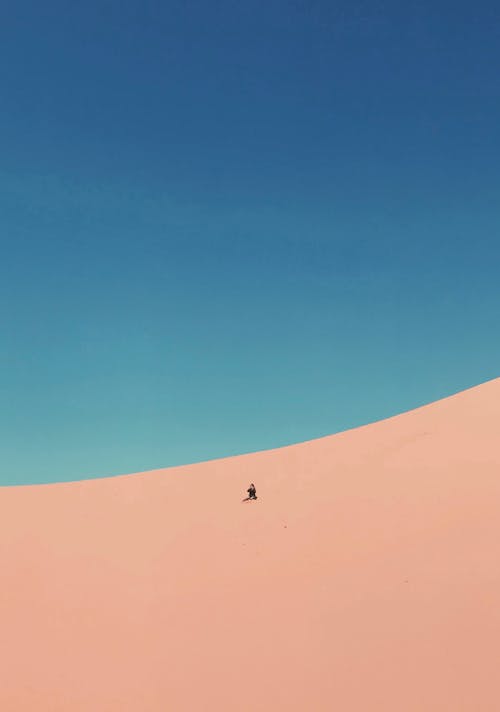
{"x":366,"y":577}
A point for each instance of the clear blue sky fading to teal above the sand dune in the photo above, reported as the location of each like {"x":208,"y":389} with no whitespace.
{"x":229,"y":226}
